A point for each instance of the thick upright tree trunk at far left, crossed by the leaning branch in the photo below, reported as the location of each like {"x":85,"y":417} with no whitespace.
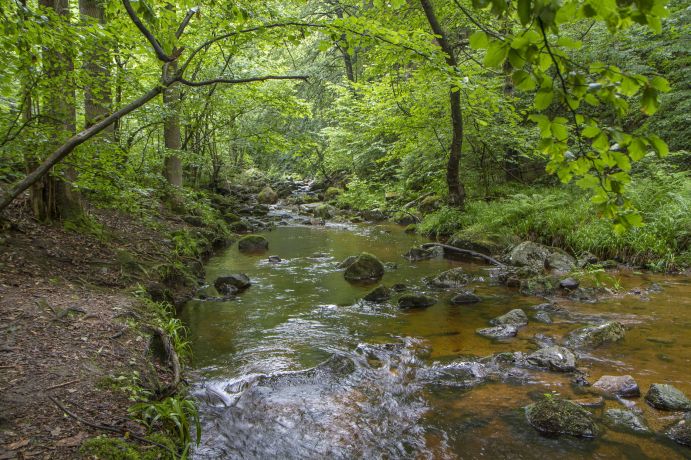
{"x":54,"y":196}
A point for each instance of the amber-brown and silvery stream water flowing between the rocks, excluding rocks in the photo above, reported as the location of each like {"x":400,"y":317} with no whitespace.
{"x":298,"y":367}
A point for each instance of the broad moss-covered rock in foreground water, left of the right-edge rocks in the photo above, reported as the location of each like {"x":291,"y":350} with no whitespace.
{"x":558,"y":416}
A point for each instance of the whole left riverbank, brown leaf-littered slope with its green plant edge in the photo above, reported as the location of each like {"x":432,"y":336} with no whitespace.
{"x":80,"y":304}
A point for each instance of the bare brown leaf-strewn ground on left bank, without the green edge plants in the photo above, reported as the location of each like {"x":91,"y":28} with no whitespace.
{"x":67,"y":330}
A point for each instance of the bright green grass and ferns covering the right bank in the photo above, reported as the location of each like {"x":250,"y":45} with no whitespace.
{"x":564,"y":217}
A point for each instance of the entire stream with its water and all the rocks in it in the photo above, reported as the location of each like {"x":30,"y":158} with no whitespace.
{"x":336,"y":339}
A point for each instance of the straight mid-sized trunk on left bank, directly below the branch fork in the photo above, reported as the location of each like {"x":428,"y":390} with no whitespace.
{"x":171,"y":132}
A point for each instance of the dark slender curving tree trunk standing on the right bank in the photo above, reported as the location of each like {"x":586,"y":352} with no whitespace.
{"x":453,"y":181}
